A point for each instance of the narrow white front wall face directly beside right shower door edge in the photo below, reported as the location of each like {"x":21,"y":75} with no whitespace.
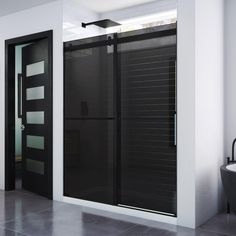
{"x":186,"y":113}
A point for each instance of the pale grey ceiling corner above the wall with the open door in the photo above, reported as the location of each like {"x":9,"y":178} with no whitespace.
{"x":11,"y":6}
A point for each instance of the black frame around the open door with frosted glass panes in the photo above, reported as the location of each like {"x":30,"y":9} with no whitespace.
{"x":10,"y":106}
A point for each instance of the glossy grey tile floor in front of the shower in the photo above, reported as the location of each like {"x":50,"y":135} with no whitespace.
{"x":23,"y":213}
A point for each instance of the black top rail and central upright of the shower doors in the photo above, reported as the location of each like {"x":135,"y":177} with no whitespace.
{"x":115,"y":41}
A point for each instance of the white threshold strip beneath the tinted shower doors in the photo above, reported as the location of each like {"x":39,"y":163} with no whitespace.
{"x":121,"y":210}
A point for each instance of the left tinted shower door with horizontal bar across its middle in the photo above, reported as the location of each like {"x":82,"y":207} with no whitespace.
{"x":89,"y":120}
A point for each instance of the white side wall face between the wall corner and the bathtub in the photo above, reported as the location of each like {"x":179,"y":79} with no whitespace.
{"x":209,"y":106}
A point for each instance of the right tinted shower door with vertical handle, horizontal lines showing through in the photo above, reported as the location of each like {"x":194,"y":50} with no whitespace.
{"x":148,"y":123}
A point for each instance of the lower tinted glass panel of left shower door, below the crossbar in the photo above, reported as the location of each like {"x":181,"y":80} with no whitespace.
{"x":89,"y":160}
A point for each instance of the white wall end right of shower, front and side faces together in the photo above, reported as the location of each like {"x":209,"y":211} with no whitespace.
{"x":200,"y":109}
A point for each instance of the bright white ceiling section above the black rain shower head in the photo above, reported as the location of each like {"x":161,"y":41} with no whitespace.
{"x":101,"y":6}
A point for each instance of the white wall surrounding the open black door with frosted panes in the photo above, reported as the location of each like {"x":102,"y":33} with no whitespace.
{"x":24,"y":23}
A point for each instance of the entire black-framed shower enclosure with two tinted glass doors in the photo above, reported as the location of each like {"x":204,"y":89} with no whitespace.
{"x":120,"y":119}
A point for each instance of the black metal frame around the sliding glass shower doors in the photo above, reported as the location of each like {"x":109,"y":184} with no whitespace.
{"x":166,"y":30}
